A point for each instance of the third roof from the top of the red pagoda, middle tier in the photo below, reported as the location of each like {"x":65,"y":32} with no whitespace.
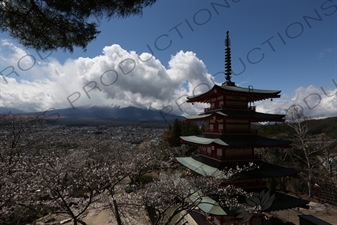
{"x":251,"y":140}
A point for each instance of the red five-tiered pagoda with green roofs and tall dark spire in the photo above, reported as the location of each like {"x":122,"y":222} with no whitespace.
{"x":229,"y":141}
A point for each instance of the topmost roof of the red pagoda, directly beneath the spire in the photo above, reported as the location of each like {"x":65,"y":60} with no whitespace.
{"x":217,"y":90}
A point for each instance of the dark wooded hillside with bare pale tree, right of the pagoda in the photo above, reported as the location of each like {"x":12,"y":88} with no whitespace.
{"x":313,"y":152}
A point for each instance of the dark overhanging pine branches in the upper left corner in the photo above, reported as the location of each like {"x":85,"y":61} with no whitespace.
{"x":52,"y":24}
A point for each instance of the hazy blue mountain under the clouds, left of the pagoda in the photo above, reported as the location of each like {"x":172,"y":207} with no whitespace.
{"x":100,"y":114}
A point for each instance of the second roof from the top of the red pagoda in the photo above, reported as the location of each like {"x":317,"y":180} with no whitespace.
{"x":239,"y":114}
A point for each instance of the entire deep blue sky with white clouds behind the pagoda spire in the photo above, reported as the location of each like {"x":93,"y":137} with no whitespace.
{"x":283,"y":45}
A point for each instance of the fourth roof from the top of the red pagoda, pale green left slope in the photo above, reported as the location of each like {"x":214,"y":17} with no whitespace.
{"x":210,"y":167}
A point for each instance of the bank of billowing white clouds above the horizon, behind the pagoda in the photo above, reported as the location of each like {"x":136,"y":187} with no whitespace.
{"x":121,"y":78}
